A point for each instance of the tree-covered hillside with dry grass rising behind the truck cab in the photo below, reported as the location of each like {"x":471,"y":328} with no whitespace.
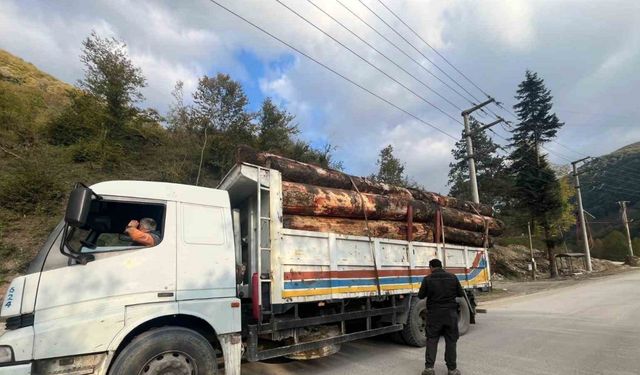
{"x":53,"y":135}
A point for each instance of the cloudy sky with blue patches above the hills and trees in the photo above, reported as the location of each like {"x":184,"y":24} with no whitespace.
{"x":588,"y":53}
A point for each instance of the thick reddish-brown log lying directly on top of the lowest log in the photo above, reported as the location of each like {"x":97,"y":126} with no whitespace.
{"x":309,"y":200}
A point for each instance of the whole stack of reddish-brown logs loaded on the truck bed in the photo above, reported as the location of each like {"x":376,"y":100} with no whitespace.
{"x":324,"y":200}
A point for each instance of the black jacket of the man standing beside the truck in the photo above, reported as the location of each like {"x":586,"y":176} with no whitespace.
{"x":440,"y":289}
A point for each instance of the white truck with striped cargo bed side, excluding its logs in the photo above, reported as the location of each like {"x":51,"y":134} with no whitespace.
{"x":226,"y":282}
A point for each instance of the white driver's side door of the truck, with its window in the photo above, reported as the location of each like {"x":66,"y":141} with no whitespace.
{"x":80,"y":308}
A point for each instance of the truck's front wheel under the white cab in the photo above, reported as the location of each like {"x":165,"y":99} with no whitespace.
{"x":166,"y":350}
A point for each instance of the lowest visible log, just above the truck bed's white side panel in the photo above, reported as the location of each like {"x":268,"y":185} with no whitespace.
{"x":395,"y":230}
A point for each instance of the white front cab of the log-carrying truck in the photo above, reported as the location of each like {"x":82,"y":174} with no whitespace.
{"x":91,"y":290}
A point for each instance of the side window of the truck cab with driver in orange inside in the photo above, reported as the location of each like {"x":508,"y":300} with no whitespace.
{"x":117,"y":226}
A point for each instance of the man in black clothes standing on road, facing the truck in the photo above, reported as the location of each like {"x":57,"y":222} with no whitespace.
{"x":441,"y":289}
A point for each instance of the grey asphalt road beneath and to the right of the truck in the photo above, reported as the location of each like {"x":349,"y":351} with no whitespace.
{"x":588,"y":328}
